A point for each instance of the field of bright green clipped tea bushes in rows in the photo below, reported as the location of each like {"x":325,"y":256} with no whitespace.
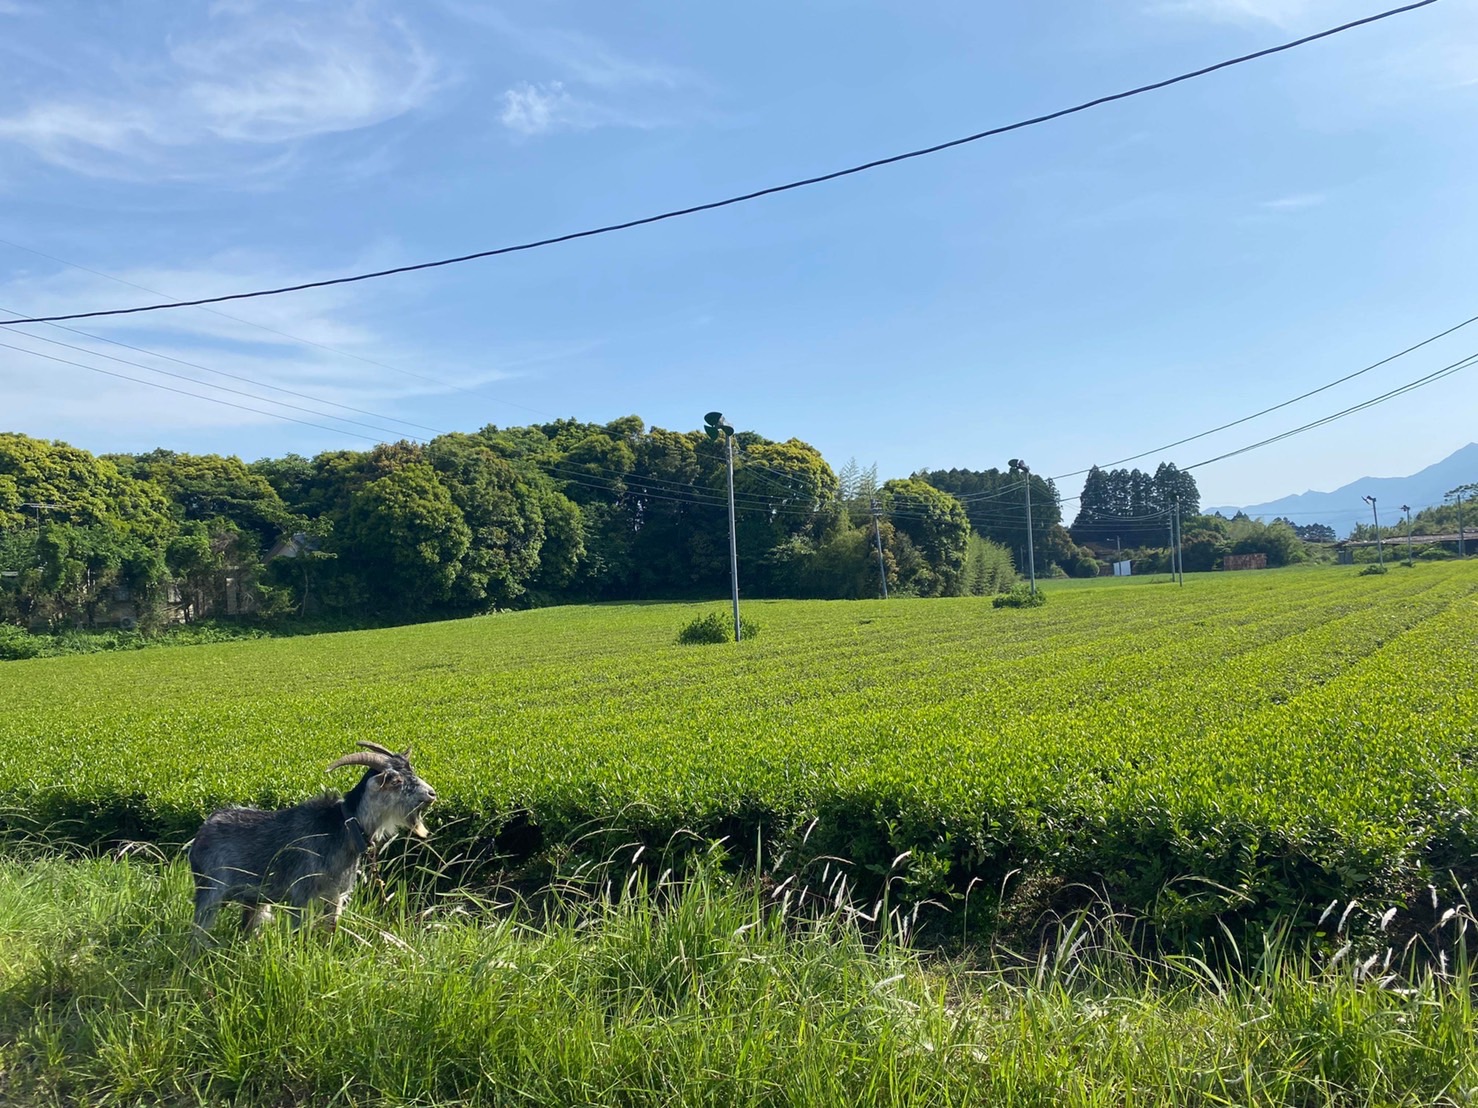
{"x":1238,"y":748}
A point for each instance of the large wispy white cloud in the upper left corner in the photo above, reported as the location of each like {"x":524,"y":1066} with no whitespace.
{"x":214,"y":104}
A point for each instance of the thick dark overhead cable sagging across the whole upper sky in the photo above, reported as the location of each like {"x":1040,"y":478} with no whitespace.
{"x":746,"y":197}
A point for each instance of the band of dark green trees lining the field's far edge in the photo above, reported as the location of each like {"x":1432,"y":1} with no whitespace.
{"x":549,"y":513}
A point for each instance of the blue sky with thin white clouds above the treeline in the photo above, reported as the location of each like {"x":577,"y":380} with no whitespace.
{"x":1069,"y":295}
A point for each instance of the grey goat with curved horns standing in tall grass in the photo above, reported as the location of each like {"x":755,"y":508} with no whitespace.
{"x":308,"y":853}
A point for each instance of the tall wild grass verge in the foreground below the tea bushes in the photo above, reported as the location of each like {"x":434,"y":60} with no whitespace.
{"x":704,"y":995}
